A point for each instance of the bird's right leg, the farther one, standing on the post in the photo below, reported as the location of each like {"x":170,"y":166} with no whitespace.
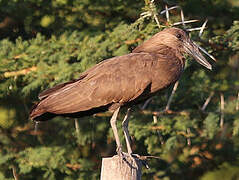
{"x":125,"y":124}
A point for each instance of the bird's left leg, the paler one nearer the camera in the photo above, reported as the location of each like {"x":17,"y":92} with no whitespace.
{"x":115,"y":131}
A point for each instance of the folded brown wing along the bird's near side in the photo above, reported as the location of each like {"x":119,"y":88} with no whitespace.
{"x":117,"y":80}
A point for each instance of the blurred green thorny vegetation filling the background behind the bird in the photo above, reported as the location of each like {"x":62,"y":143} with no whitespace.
{"x":47,"y":42}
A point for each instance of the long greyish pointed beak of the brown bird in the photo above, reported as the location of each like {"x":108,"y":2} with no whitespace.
{"x":192,"y":49}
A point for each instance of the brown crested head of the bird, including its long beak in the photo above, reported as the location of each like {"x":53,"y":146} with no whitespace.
{"x":176,"y":39}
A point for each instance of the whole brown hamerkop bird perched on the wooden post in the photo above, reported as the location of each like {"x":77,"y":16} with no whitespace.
{"x":121,"y":81}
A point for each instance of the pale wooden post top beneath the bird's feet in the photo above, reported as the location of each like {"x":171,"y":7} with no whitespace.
{"x":116,"y":168}
